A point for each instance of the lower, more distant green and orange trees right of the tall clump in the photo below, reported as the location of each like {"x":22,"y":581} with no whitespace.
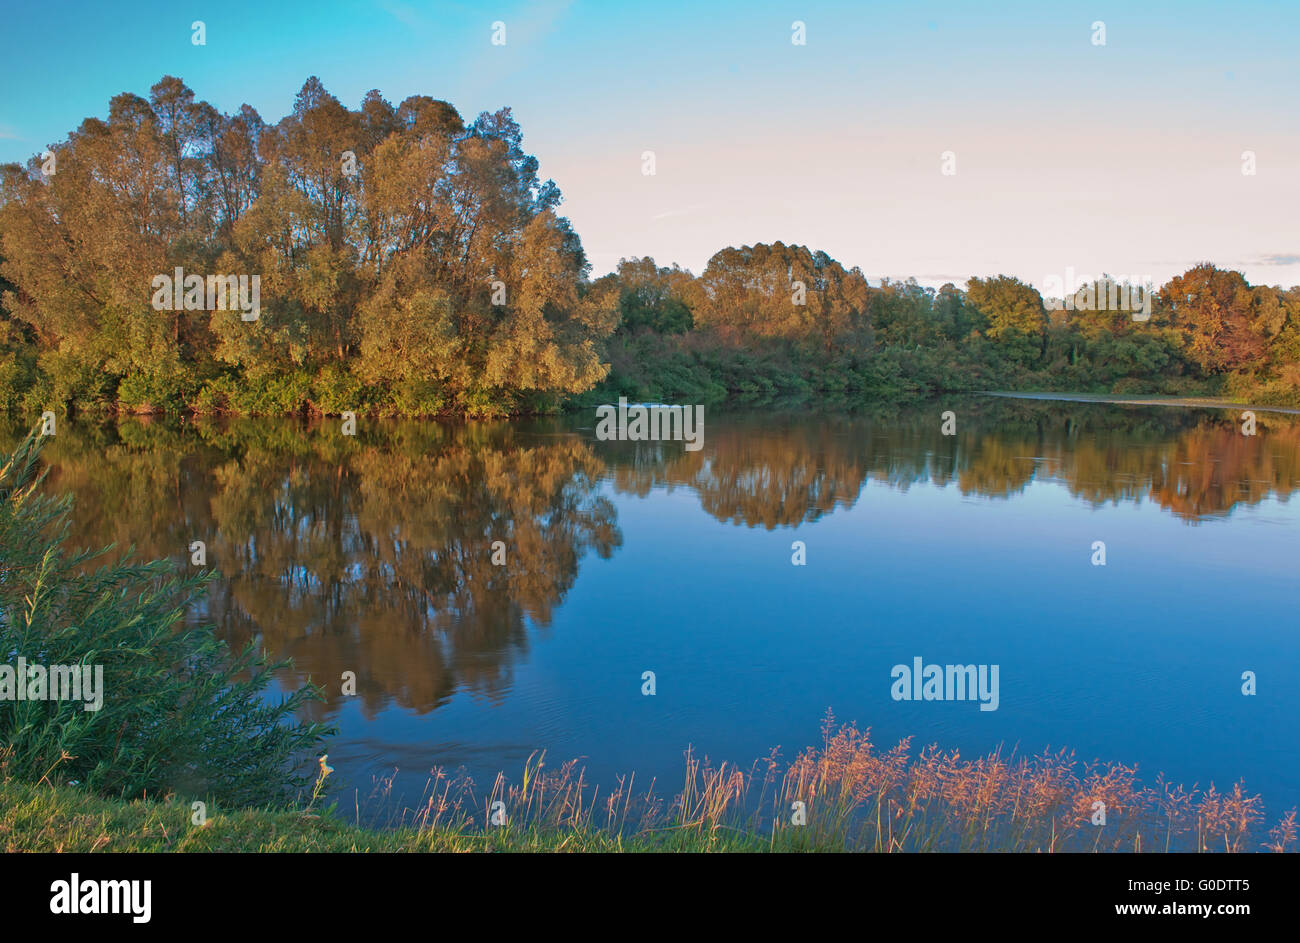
{"x":1210,"y":332}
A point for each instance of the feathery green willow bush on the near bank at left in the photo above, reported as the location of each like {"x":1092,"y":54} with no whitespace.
{"x":179,"y":712}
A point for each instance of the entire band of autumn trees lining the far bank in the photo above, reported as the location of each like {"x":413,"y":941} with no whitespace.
{"x":413,"y":265}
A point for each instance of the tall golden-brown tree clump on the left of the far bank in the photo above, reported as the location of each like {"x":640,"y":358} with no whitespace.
{"x":395,"y":244}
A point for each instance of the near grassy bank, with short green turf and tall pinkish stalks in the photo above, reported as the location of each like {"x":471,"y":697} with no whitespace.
{"x":842,"y":797}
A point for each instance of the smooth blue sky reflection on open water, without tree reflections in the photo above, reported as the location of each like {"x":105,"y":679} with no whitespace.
{"x":1138,"y":663}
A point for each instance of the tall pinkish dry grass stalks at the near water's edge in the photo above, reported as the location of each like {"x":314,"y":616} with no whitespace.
{"x":856,"y":798}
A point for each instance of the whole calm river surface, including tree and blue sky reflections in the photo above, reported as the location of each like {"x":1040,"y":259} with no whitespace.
{"x":374,"y":555}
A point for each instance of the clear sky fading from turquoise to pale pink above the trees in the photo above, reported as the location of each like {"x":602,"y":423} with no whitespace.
{"x":1124,"y":158}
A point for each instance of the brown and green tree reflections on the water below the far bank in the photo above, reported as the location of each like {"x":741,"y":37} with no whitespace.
{"x":375,"y":555}
